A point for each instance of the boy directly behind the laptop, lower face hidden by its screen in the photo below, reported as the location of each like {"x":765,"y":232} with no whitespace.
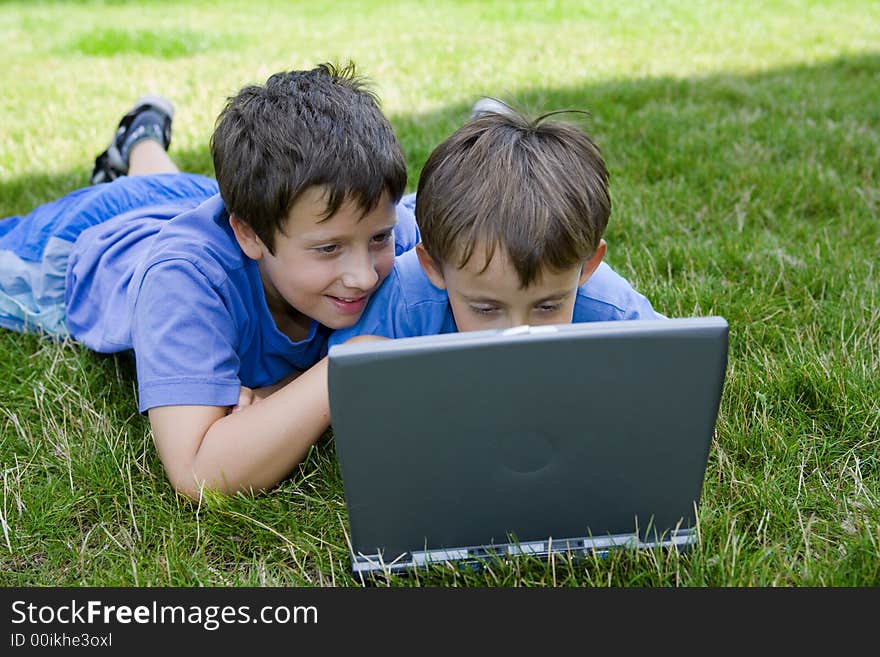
{"x":511,"y":214}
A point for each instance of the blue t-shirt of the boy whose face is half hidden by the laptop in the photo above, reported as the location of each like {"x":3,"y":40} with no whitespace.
{"x":409,"y":305}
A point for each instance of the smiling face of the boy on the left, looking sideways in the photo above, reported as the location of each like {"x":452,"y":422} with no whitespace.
{"x":323,"y":270}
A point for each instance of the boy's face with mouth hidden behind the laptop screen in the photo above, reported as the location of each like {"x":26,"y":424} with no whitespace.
{"x":493,"y":299}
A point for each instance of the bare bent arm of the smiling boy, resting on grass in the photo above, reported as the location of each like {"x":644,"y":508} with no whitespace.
{"x":249,"y":450}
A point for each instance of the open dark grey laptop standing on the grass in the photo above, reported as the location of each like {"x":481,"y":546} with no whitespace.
{"x":568,"y":439}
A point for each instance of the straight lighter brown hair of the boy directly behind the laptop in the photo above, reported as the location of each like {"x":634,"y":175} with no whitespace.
{"x":536,"y":188}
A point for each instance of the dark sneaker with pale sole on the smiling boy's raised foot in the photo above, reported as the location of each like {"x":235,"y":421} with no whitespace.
{"x":150,"y":118}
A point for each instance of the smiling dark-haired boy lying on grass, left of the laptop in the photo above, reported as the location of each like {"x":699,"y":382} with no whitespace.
{"x":224,"y":298}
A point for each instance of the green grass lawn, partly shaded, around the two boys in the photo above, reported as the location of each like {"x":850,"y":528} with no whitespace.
{"x":744,"y":145}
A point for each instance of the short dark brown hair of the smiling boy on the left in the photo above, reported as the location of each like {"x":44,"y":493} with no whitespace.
{"x":304,"y":128}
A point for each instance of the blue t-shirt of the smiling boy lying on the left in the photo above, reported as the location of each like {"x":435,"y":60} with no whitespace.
{"x":180,"y":292}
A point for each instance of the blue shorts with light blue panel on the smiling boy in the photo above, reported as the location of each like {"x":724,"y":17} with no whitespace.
{"x":35,"y":248}
